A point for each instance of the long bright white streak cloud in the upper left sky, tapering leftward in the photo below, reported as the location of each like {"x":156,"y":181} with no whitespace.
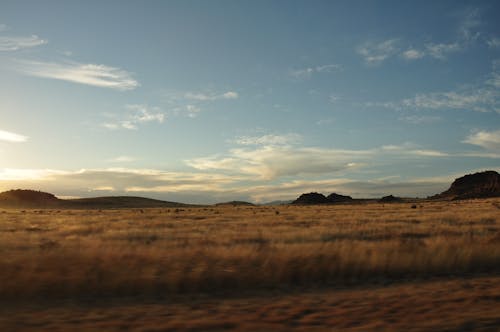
{"x":89,"y":74}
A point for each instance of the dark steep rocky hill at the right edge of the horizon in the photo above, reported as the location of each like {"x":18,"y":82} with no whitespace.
{"x":477,"y":185}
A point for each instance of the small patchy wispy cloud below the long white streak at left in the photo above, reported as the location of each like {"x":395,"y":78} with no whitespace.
{"x":138,"y":114}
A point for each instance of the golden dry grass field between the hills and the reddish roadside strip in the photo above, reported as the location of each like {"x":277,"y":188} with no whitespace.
{"x":160,"y":252}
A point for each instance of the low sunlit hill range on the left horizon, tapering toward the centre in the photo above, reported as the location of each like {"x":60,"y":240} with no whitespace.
{"x":23,"y":198}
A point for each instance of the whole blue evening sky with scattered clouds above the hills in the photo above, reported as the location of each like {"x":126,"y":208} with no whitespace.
{"x":211,"y":101}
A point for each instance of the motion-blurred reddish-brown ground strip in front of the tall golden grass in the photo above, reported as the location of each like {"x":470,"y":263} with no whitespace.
{"x":434,"y":305}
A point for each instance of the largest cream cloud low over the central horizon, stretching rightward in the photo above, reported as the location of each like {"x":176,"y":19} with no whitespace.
{"x":270,"y":161}
